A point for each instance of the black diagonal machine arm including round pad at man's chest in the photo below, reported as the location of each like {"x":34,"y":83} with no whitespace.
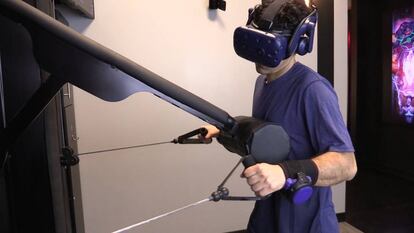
{"x":70,"y":57}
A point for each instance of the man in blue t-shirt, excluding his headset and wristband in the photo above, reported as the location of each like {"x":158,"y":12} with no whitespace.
{"x":306,"y":106}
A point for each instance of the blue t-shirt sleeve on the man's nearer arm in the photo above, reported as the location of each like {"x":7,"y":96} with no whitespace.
{"x":326,"y":127}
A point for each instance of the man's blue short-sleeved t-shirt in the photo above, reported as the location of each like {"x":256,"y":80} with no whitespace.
{"x":306,"y":106}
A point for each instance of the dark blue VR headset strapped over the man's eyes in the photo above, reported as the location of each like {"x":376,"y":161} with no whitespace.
{"x":257,"y":42}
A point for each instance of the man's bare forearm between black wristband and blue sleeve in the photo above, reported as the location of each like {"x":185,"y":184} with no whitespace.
{"x":335,"y":167}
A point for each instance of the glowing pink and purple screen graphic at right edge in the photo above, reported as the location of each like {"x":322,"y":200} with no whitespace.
{"x":403,"y":64}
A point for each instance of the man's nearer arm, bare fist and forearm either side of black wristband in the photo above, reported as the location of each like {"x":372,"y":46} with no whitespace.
{"x":333,"y":168}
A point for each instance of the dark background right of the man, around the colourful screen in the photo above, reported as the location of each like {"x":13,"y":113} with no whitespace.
{"x":379,"y":199}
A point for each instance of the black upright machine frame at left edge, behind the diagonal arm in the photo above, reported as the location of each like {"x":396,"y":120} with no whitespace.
{"x":48,"y":206}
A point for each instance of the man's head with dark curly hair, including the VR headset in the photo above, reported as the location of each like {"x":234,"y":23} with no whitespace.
{"x":275,"y":31}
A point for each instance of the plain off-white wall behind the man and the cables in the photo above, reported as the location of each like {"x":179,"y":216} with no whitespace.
{"x":187,"y":44}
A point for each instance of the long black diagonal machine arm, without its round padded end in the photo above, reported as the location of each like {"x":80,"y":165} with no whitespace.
{"x":73,"y":58}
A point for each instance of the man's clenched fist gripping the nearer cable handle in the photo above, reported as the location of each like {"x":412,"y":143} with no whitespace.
{"x":264,"y":178}
